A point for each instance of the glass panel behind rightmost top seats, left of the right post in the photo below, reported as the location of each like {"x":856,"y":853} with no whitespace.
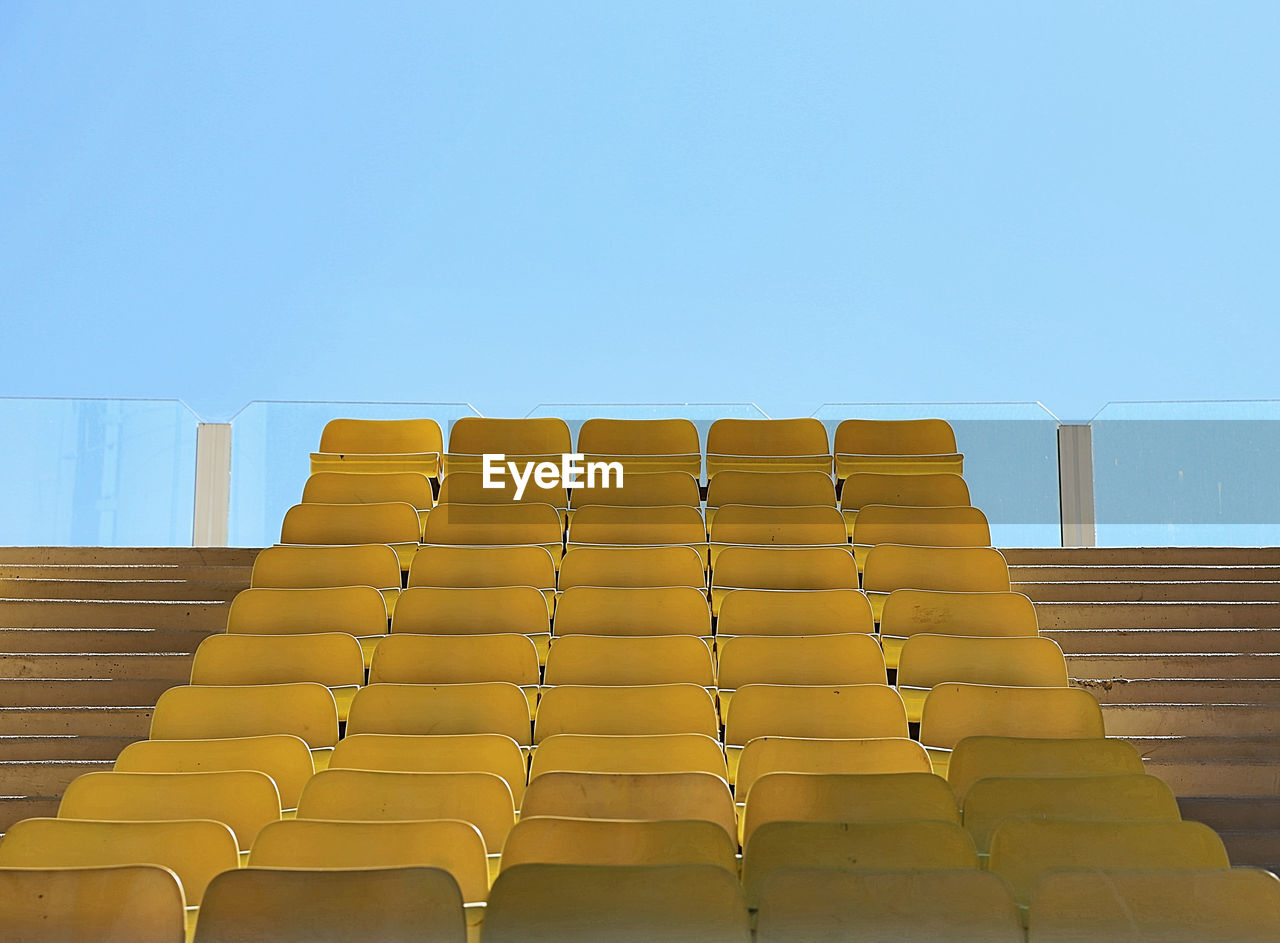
{"x":1011,"y":461}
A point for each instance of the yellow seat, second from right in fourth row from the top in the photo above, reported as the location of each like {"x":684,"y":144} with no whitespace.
{"x":781,"y":569}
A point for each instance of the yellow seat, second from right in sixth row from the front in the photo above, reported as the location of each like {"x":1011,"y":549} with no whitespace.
{"x":817,"y":660}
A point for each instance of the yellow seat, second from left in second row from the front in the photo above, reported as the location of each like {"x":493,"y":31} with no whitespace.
{"x":452,"y":846}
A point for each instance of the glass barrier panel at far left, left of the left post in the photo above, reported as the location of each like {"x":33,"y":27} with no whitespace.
{"x":98,"y":473}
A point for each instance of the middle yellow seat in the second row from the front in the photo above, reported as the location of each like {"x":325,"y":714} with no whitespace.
{"x":563,"y":841}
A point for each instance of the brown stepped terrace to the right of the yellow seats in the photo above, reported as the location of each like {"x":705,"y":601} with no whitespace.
{"x":1182,"y":647}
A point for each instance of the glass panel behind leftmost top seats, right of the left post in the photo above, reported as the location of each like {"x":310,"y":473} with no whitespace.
{"x":272,"y":446}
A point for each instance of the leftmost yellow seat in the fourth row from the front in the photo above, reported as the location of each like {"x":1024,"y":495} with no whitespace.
{"x":282,"y":757}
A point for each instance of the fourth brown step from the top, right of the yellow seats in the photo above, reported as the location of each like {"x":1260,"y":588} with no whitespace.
{"x":1159,"y":615}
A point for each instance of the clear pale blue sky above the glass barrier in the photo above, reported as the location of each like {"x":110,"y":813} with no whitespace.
{"x":510,"y":204}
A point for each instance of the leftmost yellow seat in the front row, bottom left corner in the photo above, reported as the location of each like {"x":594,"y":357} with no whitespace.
{"x":138,"y":904}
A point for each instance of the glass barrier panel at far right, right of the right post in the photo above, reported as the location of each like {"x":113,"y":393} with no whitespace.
{"x":1187,"y":474}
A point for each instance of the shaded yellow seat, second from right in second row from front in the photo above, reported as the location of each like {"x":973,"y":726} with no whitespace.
{"x":853,"y":846}
